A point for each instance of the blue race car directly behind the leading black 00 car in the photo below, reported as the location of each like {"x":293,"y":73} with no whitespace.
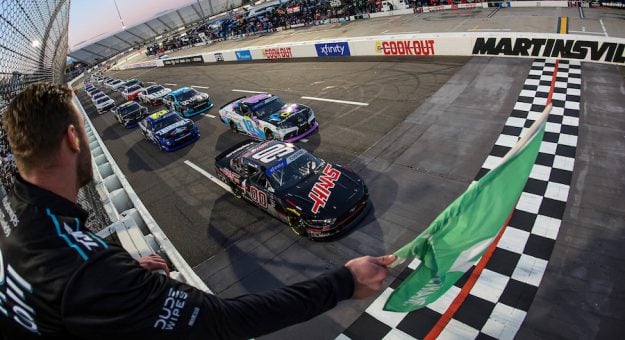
{"x":168,"y":130}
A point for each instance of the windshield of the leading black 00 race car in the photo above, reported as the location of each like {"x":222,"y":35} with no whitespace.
{"x":300,"y":165}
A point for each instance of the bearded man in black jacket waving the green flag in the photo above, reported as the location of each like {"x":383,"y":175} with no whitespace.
{"x":58,"y":280}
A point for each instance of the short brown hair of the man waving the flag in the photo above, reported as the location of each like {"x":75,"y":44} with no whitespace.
{"x":35,"y":121}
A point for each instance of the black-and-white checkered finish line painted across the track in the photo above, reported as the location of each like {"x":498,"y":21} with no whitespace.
{"x":498,"y":303}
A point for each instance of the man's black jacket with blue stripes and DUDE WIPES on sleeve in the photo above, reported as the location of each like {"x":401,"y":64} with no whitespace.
{"x":58,"y":280}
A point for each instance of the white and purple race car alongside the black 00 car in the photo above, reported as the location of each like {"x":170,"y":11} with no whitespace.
{"x":265,"y":116}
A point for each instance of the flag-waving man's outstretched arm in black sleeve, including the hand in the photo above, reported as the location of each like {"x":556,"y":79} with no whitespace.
{"x":113,"y":295}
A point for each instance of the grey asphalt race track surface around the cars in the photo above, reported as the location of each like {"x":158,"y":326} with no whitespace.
{"x":427,"y":126}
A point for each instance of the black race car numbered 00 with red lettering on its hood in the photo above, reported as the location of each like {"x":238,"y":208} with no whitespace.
{"x":315,"y":198}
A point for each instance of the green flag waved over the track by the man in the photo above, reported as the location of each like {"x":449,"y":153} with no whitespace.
{"x":459,"y":236}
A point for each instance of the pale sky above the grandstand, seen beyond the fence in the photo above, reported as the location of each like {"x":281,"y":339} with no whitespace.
{"x":91,"y":20}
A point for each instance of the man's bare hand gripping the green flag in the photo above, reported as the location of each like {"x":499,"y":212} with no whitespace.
{"x":369,"y":273}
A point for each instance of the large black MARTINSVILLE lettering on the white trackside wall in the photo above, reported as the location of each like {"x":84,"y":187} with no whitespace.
{"x":591,"y":50}
